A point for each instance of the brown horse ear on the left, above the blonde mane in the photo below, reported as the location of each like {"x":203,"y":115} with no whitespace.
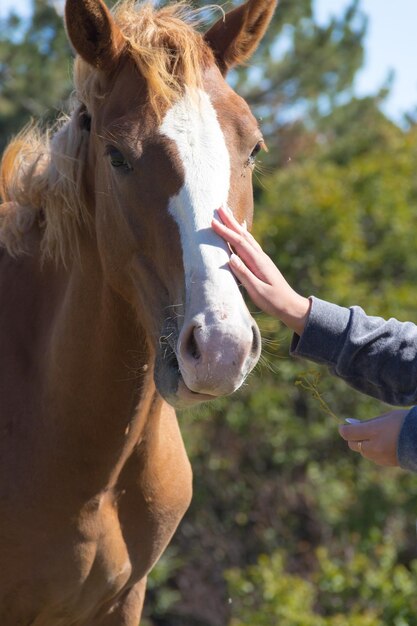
{"x":93,"y":32}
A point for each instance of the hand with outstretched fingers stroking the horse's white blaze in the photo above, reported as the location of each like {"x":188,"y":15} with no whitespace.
{"x":259,"y":275}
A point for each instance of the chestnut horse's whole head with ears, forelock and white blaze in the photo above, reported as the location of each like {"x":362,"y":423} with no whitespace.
{"x":170,"y":142}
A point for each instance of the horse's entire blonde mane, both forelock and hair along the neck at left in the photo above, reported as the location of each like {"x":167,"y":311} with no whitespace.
{"x":42,"y":173}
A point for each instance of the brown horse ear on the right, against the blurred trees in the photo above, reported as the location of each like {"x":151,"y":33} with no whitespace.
{"x":235,"y":37}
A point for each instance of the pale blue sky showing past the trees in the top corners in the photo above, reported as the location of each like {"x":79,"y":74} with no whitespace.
{"x":391,"y":44}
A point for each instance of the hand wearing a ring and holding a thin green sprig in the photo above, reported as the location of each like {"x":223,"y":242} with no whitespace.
{"x":376,"y":439}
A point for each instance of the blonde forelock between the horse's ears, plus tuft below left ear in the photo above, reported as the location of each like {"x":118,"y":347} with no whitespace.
{"x":166,"y":47}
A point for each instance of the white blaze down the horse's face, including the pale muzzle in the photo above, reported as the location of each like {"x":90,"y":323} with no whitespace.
{"x":214,"y":349}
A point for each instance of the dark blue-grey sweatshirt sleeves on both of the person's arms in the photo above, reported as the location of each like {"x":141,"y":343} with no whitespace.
{"x":373,"y":355}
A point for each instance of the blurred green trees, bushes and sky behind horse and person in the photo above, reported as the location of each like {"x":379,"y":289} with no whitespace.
{"x":287,"y":527}
